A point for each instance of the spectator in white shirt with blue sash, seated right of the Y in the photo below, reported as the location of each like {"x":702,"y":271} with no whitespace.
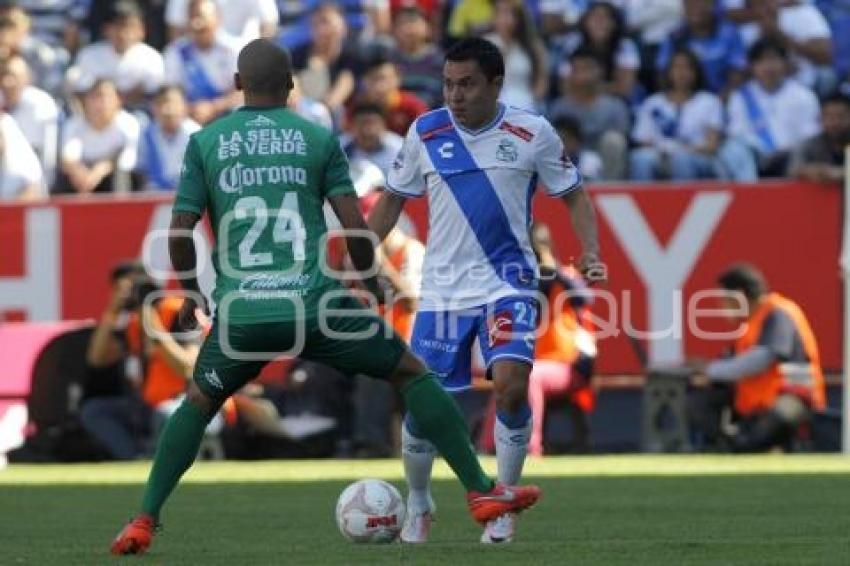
{"x":771,"y":115}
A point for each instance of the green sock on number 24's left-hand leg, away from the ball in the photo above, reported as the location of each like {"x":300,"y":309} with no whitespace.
{"x":177,"y":448}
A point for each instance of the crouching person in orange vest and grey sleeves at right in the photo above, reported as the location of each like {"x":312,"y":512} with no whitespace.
{"x":773,"y":374}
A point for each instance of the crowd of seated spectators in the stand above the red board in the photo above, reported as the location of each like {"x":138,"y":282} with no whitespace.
{"x":102,"y":95}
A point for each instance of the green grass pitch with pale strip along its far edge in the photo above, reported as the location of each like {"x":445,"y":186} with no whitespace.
{"x":597,"y":510}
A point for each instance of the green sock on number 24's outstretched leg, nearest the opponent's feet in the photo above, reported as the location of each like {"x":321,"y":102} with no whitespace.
{"x":438,"y":419}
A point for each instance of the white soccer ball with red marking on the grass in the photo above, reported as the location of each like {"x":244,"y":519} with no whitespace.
{"x":370,"y":511}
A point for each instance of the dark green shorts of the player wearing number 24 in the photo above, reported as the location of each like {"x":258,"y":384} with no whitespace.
{"x":351,"y":339}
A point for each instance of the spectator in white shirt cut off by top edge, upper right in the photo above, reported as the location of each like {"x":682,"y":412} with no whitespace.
{"x":799,"y":26}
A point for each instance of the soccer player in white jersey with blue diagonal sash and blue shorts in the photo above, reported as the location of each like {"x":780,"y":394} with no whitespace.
{"x":479,"y":162}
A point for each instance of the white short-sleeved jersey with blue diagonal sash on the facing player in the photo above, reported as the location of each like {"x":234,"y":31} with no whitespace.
{"x":479,"y":186}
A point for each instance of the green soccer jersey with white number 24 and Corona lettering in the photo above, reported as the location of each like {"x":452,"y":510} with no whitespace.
{"x":263,"y":175}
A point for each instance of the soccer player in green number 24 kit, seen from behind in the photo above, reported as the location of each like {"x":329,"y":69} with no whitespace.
{"x":262,"y":174}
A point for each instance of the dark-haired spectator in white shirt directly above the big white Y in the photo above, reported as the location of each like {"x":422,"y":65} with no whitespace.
{"x":679,"y":129}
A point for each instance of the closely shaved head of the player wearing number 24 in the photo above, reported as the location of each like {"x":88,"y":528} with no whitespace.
{"x":265,"y":68}
